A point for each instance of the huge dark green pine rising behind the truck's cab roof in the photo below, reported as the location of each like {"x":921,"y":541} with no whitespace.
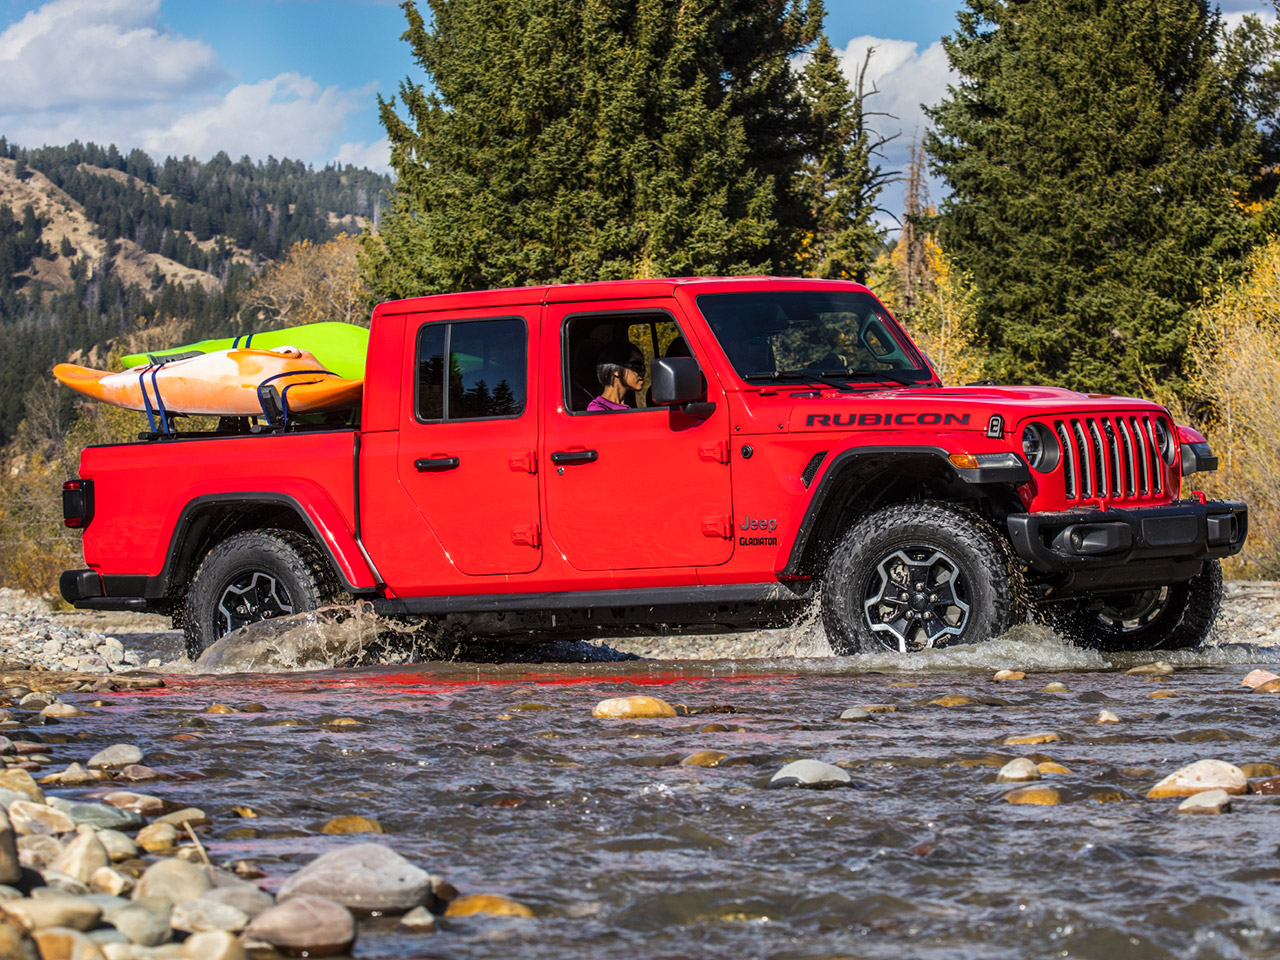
{"x":593,"y":140}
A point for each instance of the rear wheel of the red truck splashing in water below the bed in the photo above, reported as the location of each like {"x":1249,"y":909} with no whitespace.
{"x":278,"y":573}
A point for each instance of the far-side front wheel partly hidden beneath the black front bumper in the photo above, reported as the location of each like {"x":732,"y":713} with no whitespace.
{"x":1173,"y":619}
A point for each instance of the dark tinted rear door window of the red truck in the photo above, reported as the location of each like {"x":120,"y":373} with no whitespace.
{"x":472,"y":371}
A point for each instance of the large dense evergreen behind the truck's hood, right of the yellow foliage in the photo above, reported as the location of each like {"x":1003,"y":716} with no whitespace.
{"x":1095,"y":150}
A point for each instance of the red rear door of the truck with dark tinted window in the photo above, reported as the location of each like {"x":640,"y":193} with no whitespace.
{"x":468,"y":455}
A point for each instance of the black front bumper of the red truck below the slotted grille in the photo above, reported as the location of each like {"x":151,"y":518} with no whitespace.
{"x":1085,"y":540}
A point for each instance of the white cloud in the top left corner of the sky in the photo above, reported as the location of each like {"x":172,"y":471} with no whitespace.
{"x":109,"y":52}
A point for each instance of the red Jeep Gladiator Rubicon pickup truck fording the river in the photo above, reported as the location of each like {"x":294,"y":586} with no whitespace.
{"x":788,"y":441}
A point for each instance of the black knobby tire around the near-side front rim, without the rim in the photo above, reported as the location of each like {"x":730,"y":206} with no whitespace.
{"x":988,"y":578}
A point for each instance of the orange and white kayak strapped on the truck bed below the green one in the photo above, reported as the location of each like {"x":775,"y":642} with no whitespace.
{"x":223,"y":383}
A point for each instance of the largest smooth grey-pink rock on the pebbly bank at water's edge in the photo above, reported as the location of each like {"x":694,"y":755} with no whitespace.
{"x":363,"y":877}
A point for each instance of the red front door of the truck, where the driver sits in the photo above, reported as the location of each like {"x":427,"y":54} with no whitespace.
{"x":642,"y":487}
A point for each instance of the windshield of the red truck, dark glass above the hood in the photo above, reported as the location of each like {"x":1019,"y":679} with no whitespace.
{"x":820,"y":336}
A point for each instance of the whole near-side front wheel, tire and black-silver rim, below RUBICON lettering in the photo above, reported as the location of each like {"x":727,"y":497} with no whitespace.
{"x":918,"y":577}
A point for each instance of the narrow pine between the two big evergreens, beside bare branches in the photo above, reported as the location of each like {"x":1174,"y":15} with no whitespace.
{"x":842,"y":179}
